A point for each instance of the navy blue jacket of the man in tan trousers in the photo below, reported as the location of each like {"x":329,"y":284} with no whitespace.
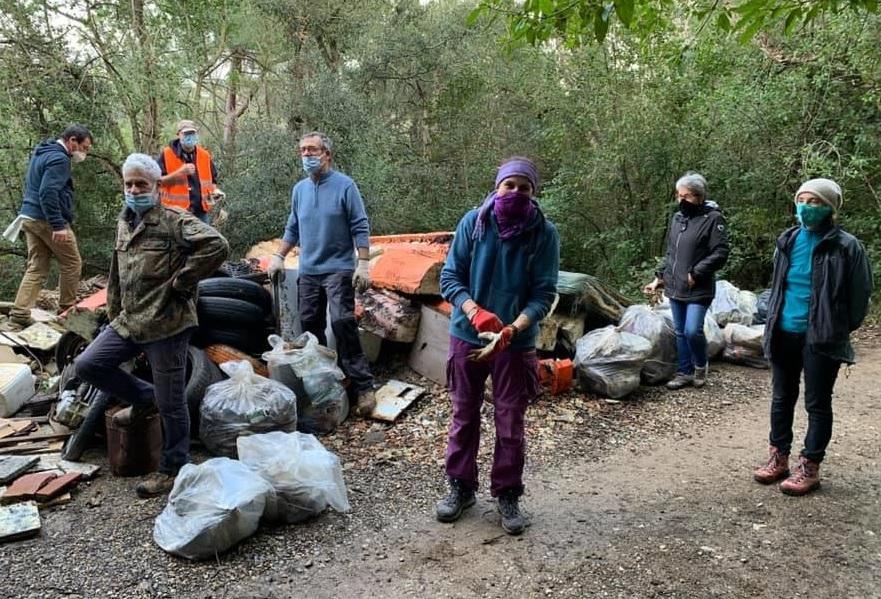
{"x":48,"y":187}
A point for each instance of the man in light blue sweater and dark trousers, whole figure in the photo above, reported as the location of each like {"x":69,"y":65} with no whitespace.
{"x":328,"y":223}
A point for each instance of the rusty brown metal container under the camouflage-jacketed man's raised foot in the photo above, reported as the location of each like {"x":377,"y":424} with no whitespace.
{"x":133,"y":450}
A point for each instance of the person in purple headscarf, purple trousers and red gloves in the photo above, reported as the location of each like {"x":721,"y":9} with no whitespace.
{"x":501,"y":277}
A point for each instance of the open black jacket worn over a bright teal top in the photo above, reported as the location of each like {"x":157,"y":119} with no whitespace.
{"x":841,"y":285}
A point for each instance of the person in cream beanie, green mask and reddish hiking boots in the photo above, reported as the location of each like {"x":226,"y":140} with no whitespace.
{"x":819,"y":294}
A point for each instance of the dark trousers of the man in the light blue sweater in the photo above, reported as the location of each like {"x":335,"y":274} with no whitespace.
{"x":318,"y":292}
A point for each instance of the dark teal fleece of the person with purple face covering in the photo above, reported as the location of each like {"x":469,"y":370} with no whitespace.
{"x":504,"y":277}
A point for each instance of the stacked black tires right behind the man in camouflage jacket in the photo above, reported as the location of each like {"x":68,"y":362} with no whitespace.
{"x":235,"y":312}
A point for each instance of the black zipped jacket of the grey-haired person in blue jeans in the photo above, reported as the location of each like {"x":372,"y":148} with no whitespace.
{"x":697,"y":244}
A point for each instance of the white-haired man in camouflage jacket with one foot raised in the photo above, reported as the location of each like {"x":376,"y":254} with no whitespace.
{"x":161,"y":254}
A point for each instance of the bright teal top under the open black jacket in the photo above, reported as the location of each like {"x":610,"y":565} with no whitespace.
{"x":797,"y":293}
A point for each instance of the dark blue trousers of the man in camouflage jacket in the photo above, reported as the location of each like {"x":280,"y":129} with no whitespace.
{"x":99,"y":366}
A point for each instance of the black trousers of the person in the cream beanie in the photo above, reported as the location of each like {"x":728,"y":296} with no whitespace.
{"x":790,"y":356}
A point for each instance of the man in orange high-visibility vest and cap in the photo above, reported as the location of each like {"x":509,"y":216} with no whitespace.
{"x":189,"y":177}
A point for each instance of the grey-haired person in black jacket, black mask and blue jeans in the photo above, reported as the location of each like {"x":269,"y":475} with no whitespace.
{"x":697,"y":247}
